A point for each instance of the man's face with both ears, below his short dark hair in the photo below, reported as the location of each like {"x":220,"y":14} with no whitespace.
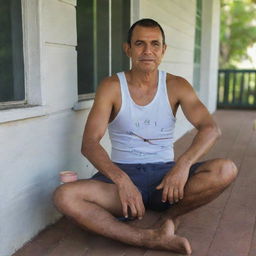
{"x":146,"y":50}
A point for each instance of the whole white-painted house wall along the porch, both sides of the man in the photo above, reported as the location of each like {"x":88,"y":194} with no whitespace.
{"x":41,"y":141}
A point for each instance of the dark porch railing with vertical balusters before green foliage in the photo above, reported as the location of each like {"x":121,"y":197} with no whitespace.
{"x":237,"y":88}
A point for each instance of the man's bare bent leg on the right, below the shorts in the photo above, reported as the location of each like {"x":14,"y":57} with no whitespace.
{"x":210,"y":179}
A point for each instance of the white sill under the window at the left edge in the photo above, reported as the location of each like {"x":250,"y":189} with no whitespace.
{"x":24,"y":112}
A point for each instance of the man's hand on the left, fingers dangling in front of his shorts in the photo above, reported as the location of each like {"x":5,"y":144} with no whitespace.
{"x":131,"y":199}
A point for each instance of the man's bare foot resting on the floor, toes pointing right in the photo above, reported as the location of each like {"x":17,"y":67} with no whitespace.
{"x":165,"y":239}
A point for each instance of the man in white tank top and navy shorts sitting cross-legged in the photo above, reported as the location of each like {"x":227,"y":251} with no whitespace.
{"x":139,"y":107}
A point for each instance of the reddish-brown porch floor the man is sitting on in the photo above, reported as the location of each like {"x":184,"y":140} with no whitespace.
{"x":225,"y":227}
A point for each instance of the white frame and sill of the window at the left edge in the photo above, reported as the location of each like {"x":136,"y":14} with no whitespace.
{"x":33,"y":105}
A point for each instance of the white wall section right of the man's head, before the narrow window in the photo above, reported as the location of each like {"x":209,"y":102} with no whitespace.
{"x":178,"y":21}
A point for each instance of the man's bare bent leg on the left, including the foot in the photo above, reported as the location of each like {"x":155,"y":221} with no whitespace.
{"x":93,"y":204}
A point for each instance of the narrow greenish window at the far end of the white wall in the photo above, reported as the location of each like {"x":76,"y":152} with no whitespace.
{"x":197,"y":49}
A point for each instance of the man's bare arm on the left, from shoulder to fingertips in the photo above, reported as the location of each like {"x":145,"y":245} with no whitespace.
{"x":95,"y":129}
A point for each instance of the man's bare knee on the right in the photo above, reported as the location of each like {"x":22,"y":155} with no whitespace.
{"x":227,"y":171}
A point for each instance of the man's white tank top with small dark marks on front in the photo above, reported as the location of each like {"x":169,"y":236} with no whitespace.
{"x":143,"y":134}
